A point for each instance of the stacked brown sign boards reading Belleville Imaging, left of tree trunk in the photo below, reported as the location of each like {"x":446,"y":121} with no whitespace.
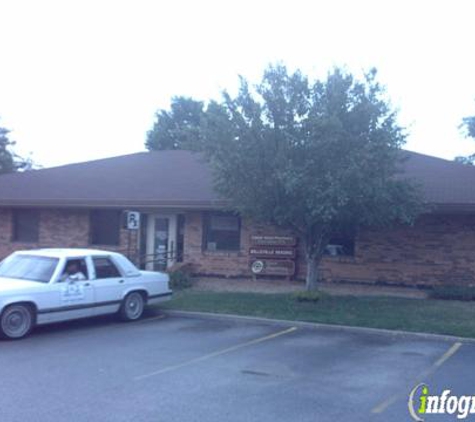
{"x":273,"y":255}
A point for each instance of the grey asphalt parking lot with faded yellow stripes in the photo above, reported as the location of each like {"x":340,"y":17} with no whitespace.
{"x":172,"y":368}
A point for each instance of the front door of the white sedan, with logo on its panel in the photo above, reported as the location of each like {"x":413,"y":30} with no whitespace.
{"x":69,"y":297}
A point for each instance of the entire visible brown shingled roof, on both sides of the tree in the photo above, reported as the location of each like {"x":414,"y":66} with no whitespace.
{"x":181,"y":179}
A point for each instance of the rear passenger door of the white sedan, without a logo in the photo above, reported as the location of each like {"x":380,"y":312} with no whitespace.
{"x":109,"y":285}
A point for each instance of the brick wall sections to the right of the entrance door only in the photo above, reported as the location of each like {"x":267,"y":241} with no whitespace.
{"x":437,"y":249}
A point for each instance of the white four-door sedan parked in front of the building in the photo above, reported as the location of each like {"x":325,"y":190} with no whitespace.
{"x":49,"y":285}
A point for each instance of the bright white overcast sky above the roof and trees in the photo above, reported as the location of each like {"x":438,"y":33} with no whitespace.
{"x":82,"y":79}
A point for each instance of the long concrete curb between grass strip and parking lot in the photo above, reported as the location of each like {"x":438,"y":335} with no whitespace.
{"x":320,"y":326}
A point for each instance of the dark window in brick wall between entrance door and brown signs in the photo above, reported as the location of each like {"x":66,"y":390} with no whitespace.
{"x":222,"y":232}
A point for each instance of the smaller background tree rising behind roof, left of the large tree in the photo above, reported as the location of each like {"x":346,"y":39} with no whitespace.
{"x":177,"y":128}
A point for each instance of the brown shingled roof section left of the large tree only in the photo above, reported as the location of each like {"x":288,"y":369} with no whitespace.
{"x":169,"y":178}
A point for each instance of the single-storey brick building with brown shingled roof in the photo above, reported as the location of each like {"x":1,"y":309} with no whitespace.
{"x":182,"y":219}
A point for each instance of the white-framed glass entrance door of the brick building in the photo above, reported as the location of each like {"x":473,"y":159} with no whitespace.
{"x":161,"y":241}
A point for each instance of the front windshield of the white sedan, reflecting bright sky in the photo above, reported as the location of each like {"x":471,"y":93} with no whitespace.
{"x":28,"y":267}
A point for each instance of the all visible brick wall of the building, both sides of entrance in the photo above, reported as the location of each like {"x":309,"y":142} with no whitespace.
{"x":437,"y":249}
